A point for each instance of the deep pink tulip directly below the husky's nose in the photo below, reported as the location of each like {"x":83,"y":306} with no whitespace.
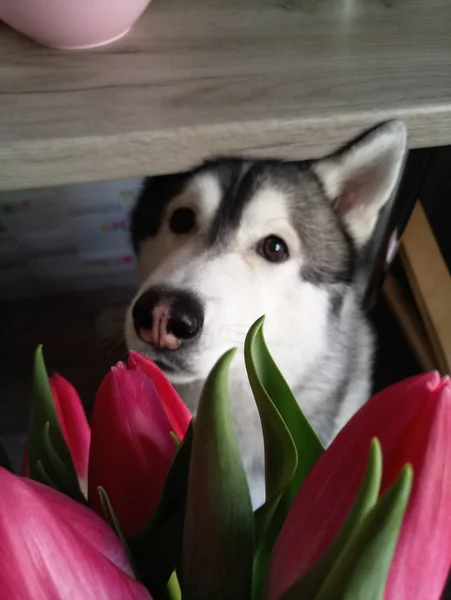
{"x":131,"y":444}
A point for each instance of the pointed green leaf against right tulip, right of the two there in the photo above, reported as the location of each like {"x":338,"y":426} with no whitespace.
{"x":361,"y":571}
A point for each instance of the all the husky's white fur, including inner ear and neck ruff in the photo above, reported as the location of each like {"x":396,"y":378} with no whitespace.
{"x":237,"y":286}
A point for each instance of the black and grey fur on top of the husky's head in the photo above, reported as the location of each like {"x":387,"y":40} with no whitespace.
{"x":330,"y":252}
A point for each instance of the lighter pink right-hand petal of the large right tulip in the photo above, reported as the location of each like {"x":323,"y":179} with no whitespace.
{"x":425,"y":542}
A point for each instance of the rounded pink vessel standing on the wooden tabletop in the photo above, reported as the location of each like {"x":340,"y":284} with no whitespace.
{"x":72,"y":24}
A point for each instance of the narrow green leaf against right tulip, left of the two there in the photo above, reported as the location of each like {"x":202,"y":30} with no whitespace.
{"x":310,"y":583}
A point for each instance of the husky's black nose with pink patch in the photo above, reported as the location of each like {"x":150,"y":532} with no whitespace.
{"x":167,"y":318}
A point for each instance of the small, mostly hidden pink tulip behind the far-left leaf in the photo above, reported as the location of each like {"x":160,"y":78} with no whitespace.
{"x":74,"y":425}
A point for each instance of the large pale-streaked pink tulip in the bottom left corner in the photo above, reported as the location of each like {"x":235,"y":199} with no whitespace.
{"x":53,"y":548}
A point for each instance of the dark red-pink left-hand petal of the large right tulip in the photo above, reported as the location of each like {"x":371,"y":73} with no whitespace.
{"x":313,"y":522}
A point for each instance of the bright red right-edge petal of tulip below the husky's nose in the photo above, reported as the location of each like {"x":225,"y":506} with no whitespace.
{"x":176,"y":409}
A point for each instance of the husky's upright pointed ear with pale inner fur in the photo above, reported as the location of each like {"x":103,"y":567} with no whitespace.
{"x":362,"y":177}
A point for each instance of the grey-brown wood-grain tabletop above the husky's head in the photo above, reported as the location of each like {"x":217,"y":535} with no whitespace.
{"x":194,"y":78}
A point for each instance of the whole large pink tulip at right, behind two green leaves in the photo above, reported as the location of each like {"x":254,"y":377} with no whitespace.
{"x":412,"y":420}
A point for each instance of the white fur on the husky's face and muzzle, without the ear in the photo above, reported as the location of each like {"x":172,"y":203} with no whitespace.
{"x":238,"y":286}
